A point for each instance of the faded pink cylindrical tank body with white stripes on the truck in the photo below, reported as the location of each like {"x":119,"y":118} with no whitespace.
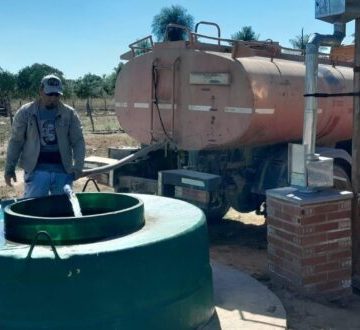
{"x":213,"y":99}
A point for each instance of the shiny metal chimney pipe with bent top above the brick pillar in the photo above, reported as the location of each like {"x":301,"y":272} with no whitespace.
{"x":311,"y":74}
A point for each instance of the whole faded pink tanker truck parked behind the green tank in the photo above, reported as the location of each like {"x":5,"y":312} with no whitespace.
{"x":227,"y":111}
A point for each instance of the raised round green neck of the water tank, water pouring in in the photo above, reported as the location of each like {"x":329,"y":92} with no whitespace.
{"x":50,"y":220}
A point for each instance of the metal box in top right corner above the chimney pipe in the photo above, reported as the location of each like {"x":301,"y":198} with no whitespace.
{"x":337,"y":11}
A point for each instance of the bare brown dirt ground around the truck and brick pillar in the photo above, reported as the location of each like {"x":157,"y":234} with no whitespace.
{"x":239,"y":240}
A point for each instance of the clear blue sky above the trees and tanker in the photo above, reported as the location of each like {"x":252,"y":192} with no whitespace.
{"x":88,"y":36}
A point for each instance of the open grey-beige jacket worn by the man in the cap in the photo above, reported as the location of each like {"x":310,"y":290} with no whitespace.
{"x":24,"y":142}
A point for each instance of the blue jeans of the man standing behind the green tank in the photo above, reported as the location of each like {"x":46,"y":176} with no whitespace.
{"x":42,"y":183}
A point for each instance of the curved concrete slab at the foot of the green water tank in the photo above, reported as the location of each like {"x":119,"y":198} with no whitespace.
{"x":243,"y":303}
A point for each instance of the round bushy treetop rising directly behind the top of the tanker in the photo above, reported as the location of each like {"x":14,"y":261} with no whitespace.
{"x":175,"y":15}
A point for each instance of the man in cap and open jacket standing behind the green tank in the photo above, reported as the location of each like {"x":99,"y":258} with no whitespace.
{"x":48,"y":142}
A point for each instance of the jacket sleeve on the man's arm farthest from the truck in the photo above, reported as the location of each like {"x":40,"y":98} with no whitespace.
{"x":16,"y":142}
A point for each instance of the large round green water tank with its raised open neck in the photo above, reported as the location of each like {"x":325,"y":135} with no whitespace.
{"x":155,"y":274}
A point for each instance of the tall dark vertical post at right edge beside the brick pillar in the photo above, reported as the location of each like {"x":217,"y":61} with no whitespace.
{"x":356,"y":159}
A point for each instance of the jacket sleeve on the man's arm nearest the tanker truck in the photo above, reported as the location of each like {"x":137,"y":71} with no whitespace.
{"x":77,"y":142}
